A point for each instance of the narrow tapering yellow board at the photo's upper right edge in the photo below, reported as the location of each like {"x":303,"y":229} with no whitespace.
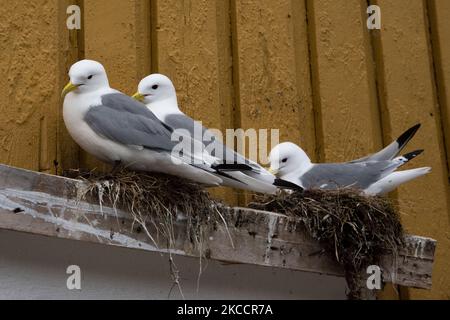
{"x":439,"y":13}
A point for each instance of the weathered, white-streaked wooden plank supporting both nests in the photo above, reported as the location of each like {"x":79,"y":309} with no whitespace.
{"x":47,"y":205}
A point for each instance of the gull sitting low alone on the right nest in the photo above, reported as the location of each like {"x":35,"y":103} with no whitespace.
{"x":374,"y":177}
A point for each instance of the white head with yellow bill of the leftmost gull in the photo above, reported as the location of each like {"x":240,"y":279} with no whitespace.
{"x":86,"y":76}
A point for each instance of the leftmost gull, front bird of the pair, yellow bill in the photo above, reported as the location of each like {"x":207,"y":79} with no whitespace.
{"x":119,"y":130}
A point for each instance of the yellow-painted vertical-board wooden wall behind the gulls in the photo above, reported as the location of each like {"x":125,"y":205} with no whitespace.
{"x":310,"y":68}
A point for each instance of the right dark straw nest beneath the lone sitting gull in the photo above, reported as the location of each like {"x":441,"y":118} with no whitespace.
{"x":357,"y":229}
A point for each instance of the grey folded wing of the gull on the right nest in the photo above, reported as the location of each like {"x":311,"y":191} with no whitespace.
{"x":341,"y":175}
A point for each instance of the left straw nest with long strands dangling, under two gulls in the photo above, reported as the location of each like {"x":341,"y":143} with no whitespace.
{"x":156,"y":200}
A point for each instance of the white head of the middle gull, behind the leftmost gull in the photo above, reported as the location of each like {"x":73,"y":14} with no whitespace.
{"x":155,"y":88}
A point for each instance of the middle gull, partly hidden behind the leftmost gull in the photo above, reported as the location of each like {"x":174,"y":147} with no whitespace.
{"x":158,"y":93}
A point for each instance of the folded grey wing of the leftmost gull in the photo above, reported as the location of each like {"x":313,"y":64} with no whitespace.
{"x":129,"y":128}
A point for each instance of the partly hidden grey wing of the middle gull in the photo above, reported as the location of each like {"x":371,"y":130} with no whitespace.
{"x":210,"y":141}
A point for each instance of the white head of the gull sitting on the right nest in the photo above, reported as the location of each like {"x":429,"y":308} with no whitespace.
{"x":286,"y":158}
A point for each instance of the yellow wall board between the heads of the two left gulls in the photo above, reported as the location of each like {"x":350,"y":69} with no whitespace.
{"x":117,"y":34}
